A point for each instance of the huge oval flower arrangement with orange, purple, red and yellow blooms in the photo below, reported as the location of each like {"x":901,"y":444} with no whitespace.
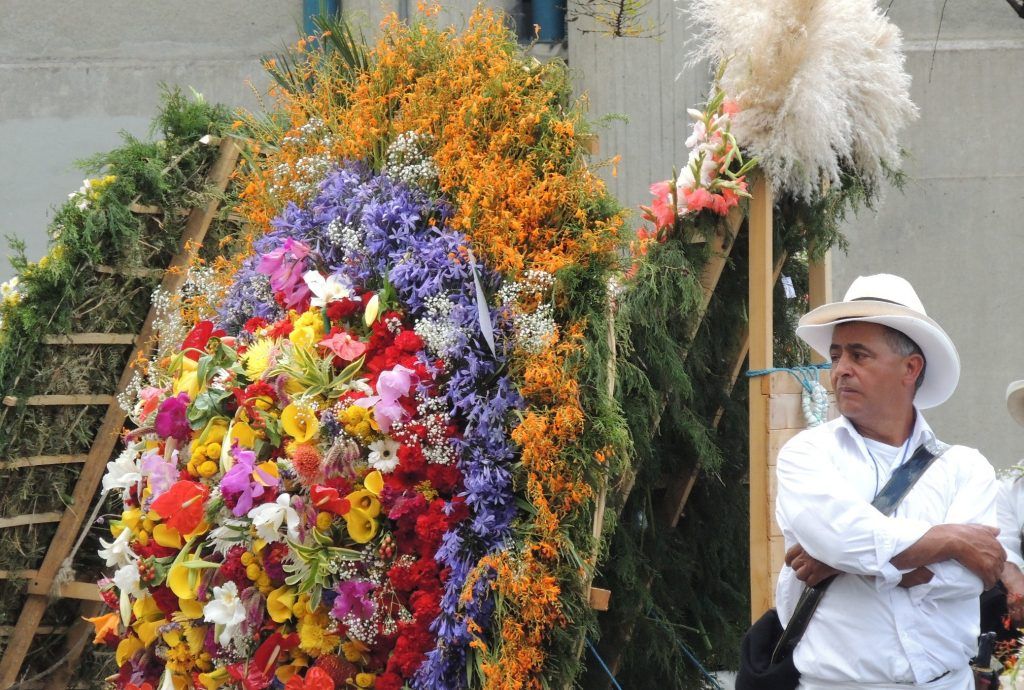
{"x":365,"y":453}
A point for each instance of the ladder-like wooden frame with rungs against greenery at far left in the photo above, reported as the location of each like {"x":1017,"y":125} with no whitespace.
{"x":71,"y":522}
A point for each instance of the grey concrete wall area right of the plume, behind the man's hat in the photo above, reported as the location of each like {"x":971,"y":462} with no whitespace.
{"x":957,"y":231}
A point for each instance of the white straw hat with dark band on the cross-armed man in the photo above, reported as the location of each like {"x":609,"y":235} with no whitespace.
{"x":891,"y":301}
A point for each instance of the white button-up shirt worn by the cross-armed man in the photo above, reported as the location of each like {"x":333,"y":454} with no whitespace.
{"x":868,"y":632}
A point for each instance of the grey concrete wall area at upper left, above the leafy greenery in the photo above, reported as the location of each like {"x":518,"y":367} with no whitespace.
{"x":74,"y":74}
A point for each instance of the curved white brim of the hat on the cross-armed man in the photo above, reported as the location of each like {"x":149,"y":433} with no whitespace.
{"x":943,"y":374}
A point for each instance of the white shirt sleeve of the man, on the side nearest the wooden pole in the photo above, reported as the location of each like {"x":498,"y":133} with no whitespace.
{"x":832,"y":522}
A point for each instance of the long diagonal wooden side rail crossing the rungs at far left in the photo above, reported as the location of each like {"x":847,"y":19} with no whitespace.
{"x":93,"y":471}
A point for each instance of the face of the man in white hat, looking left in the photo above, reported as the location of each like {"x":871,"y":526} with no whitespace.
{"x":869,"y":377}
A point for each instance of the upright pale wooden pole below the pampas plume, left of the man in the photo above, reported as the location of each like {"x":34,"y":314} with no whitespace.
{"x":761,"y":357}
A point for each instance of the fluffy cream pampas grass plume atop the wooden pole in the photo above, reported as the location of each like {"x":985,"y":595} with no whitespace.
{"x":821,"y":84}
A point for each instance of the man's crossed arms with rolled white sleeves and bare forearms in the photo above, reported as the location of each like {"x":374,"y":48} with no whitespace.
{"x":838,"y":532}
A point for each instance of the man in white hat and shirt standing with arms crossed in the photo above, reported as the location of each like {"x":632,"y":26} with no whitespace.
{"x":904,"y":611}
